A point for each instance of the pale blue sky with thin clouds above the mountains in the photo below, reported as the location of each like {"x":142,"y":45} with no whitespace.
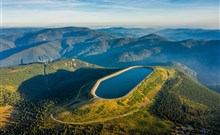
{"x":111,"y":13}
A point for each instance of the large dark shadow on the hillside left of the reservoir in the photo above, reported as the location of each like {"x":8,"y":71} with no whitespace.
{"x":61,"y":85}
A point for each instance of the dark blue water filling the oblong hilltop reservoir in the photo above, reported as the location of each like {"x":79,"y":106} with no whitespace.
{"x":122,"y":84}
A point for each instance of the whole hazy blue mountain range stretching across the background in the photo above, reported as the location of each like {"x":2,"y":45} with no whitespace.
{"x":107,"y":47}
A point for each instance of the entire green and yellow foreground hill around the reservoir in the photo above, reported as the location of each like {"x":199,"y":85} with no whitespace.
{"x":64,"y":90}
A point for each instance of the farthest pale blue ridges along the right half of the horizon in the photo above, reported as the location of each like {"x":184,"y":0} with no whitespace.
{"x":171,"y":34}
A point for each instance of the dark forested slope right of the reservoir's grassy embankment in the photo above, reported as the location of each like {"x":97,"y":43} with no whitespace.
{"x":184,"y":102}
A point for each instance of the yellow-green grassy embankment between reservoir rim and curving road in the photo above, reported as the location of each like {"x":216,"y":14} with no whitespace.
{"x":100,"y":110}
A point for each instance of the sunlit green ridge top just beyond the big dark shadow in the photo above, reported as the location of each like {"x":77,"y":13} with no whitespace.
{"x":13,"y":77}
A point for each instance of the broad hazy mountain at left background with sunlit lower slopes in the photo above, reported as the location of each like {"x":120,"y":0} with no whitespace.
{"x":48,"y":44}
